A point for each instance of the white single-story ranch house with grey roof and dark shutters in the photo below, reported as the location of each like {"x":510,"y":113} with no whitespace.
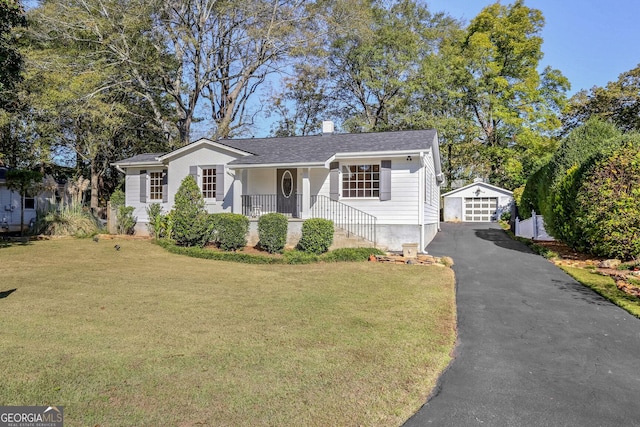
{"x":383,"y":187}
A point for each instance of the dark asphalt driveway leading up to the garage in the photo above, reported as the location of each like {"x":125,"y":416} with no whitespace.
{"x":535,"y":347}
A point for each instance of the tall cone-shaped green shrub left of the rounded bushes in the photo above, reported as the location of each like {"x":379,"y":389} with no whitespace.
{"x":191,"y":225}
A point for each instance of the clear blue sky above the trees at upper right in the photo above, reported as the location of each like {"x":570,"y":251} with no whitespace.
{"x":591,"y":42}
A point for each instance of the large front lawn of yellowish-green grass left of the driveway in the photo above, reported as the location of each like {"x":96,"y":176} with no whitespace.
{"x":144,"y":337}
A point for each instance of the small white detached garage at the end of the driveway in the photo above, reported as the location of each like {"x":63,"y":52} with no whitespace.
{"x":477,"y":202}
